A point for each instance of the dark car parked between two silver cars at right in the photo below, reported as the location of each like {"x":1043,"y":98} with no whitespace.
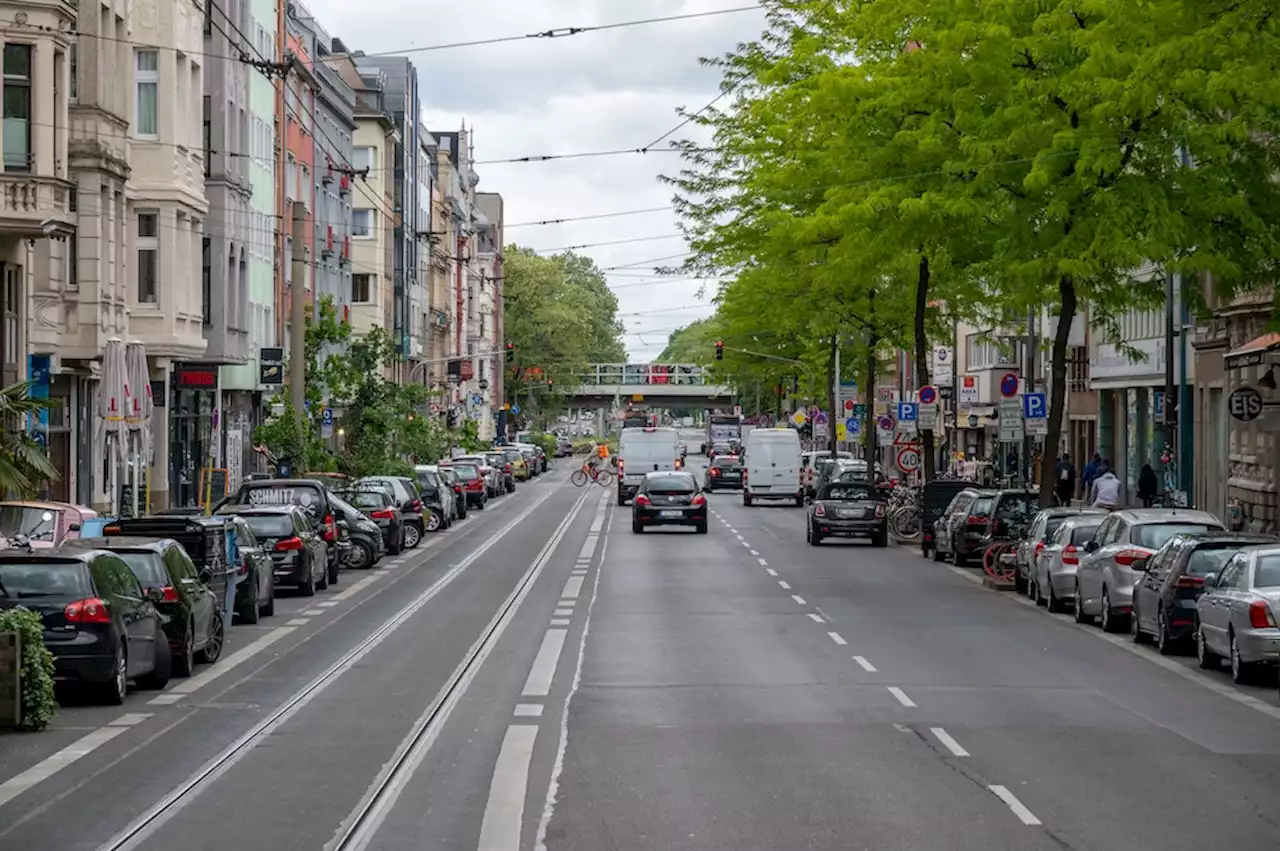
{"x":1172,"y":580}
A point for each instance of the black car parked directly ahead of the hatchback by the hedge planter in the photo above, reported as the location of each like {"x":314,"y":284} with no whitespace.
{"x":191,"y":612}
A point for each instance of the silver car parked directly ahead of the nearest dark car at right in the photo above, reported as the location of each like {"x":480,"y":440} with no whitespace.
{"x":1105,"y":580}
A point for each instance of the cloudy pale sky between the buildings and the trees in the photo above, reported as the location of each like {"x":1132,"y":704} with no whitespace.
{"x":598,"y":91}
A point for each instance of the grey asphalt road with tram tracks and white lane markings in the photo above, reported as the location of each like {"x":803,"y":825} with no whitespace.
{"x":548,"y":680}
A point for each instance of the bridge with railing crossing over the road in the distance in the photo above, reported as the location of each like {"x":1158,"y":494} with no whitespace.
{"x":664,"y":386}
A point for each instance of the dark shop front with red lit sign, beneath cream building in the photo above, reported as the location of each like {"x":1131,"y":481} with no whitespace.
{"x":194,"y":433}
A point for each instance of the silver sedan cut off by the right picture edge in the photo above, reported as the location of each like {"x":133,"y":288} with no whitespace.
{"x":1238,"y":614}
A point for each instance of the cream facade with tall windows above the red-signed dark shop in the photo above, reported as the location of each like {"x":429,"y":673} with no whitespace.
{"x":167,"y":225}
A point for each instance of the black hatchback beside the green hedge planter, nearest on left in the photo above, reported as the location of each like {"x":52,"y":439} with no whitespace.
{"x":100,"y":626}
